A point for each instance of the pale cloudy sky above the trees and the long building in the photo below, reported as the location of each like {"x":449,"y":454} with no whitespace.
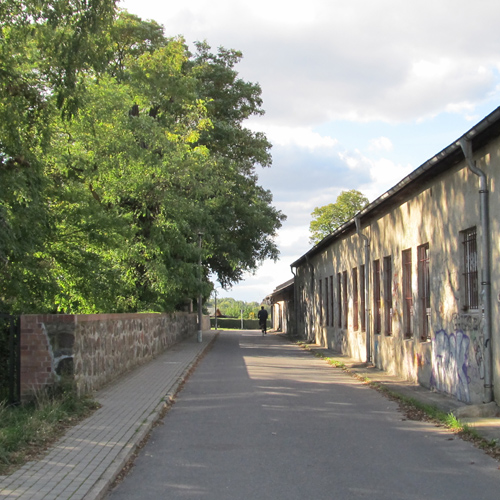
{"x":357,"y":93}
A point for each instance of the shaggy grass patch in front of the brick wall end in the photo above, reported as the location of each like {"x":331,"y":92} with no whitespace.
{"x":27,"y":430}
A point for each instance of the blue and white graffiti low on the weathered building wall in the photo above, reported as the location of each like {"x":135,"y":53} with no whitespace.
{"x":450,"y":363}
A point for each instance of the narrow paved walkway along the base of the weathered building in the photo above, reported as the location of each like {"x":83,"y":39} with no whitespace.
{"x":485,"y":419}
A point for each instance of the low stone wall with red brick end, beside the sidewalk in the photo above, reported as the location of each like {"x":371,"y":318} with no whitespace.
{"x":94,"y":349}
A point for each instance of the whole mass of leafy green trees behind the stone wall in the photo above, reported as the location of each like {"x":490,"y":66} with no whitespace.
{"x":117,"y":148}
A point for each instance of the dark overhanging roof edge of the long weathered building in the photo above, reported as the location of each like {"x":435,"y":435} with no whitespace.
{"x":479,"y":135}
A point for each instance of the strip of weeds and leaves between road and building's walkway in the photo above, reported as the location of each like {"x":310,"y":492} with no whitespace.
{"x":413,"y":409}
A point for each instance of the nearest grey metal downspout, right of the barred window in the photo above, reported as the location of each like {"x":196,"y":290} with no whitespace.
{"x":466,"y":146}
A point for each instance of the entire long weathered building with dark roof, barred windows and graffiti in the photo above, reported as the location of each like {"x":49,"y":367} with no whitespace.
{"x":412,"y":283}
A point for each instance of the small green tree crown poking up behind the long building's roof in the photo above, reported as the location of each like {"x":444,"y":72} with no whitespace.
{"x":330,"y":217}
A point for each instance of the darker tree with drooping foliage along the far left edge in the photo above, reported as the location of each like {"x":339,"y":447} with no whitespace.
{"x":44,"y":46}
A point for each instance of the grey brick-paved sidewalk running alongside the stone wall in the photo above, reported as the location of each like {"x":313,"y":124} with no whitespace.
{"x":87,"y":459}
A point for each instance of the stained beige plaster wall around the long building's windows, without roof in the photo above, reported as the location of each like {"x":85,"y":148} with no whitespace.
{"x":452,"y":359}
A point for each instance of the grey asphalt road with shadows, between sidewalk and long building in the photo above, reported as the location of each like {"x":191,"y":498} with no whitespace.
{"x":262,"y":419}
